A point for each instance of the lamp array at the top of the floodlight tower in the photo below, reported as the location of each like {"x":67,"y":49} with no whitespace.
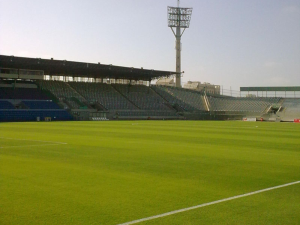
{"x":179,"y":17}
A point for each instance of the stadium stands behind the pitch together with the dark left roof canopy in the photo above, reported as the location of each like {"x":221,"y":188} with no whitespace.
{"x":47,"y":89}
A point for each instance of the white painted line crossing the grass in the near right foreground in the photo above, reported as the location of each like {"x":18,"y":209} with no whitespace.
{"x":209,"y":203}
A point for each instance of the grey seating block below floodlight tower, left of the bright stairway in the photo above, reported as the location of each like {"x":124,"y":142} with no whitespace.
{"x":188,"y":100}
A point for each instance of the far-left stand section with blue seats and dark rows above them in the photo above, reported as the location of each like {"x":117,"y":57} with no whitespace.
{"x":25,"y":102}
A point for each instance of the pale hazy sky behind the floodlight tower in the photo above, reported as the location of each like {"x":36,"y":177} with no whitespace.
{"x":231,"y":43}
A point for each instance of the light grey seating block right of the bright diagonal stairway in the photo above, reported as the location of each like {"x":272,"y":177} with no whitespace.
{"x":241,"y":104}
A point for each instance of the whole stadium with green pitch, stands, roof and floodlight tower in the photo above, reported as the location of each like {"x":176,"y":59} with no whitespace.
{"x":93,"y":143}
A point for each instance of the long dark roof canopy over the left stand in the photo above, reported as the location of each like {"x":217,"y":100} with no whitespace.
{"x":80,"y":69}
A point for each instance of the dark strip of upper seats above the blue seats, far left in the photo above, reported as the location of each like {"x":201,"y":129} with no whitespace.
{"x":22,"y":93}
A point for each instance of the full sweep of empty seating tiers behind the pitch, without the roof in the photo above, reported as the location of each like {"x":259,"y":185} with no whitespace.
{"x":30,"y":101}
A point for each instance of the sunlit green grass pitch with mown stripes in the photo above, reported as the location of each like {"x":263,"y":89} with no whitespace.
{"x":114,"y":172}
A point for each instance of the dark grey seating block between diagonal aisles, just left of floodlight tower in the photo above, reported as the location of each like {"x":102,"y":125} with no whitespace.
{"x":142,"y":96}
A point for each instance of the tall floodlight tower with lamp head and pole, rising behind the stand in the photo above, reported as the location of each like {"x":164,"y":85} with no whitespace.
{"x":179,"y":18}
